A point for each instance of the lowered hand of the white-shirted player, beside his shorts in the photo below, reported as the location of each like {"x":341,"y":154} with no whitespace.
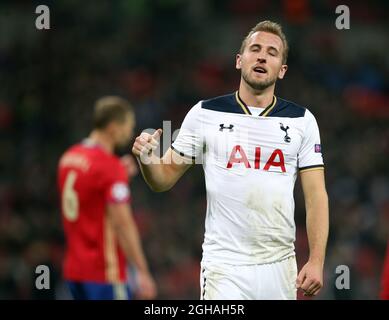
{"x":310,"y":278}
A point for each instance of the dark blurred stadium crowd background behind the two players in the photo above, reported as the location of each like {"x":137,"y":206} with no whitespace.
{"x":164,"y":56}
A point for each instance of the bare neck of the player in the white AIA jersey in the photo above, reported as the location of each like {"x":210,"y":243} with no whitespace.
{"x":256,"y":98}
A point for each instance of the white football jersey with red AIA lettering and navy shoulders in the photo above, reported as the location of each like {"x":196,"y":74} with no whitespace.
{"x":250,"y":165}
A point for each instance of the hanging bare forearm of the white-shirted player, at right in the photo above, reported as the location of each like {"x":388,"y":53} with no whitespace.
{"x":317,"y":225}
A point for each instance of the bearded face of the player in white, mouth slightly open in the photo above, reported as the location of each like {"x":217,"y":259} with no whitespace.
{"x":261,"y":61}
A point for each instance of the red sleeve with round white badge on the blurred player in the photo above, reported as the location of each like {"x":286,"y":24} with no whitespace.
{"x":117,"y":189}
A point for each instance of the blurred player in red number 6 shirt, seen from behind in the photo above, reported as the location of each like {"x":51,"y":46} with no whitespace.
{"x":101,"y":235}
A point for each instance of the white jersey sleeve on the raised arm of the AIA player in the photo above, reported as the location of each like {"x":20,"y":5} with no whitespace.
{"x":189,"y":142}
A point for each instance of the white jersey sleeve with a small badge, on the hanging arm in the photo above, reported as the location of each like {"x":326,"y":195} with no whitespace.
{"x":310,"y":154}
